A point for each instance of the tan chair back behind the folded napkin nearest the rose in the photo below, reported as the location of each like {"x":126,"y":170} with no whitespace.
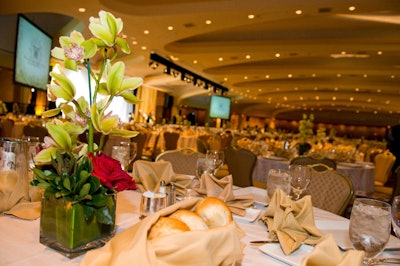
{"x":183,"y":161}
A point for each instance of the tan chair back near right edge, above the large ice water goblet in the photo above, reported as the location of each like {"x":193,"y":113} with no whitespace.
{"x":383,"y":167}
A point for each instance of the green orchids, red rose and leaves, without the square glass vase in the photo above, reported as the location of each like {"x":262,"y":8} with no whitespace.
{"x":68,"y":168}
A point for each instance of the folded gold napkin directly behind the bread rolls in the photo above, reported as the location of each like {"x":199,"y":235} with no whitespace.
{"x":211,"y":186}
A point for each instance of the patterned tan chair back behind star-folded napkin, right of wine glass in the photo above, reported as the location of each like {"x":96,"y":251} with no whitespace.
{"x":329,"y":189}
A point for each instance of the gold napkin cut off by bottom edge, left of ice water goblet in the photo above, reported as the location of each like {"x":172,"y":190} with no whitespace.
{"x":327,"y":253}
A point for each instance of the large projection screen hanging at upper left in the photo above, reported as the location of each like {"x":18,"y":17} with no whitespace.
{"x":32,"y":55}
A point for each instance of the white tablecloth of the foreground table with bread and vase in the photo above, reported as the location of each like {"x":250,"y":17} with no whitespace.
{"x":20,"y":245}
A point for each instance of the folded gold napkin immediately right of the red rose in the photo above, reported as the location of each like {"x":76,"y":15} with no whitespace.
{"x":148,"y":175}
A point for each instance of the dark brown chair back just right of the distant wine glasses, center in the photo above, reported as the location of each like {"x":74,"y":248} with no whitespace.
{"x":241,"y":163}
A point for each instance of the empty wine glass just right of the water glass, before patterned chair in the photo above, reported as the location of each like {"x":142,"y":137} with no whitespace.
{"x":300,"y":178}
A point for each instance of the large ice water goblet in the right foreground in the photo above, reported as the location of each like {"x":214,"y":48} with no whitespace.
{"x":370,"y":222}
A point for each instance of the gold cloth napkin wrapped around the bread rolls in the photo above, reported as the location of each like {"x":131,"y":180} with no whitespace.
{"x":217,"y":246}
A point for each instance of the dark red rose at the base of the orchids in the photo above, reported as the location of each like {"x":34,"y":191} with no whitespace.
{"x":110,"y":173}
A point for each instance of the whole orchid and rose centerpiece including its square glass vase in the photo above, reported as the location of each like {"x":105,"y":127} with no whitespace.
{"x":79,"y":181}
